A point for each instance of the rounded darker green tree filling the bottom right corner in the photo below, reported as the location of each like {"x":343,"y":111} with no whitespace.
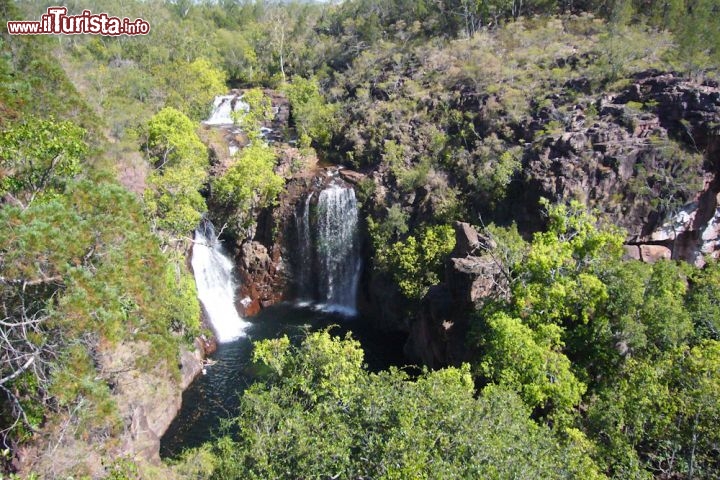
{"x":659,"y":415}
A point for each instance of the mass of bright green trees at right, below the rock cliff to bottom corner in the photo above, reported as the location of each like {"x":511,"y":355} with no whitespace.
{"x":583,"y":328}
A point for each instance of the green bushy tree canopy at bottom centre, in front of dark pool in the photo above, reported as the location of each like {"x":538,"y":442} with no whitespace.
{"x":320,"y":413}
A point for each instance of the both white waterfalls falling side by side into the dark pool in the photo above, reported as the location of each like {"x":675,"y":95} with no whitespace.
{"x":326,"y":267}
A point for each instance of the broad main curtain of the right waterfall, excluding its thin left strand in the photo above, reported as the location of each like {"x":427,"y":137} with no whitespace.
{"x":338,"y":249}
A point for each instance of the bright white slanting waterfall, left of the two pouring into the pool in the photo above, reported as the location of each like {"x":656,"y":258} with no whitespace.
{"x":215,"y":284}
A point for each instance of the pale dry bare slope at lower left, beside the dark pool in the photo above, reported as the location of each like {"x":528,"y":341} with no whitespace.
{"x":147,"y":400}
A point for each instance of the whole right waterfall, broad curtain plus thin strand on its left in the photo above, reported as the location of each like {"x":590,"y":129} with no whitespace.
{"x":327,"y":266}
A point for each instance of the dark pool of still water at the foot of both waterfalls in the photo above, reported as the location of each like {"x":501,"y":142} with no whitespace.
{"x":215,"y":395}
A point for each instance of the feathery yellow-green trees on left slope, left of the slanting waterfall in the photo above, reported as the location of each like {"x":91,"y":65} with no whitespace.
{"x":80,"y":268}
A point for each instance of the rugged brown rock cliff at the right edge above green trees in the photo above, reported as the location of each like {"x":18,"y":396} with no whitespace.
{"x":627,"y":159}
